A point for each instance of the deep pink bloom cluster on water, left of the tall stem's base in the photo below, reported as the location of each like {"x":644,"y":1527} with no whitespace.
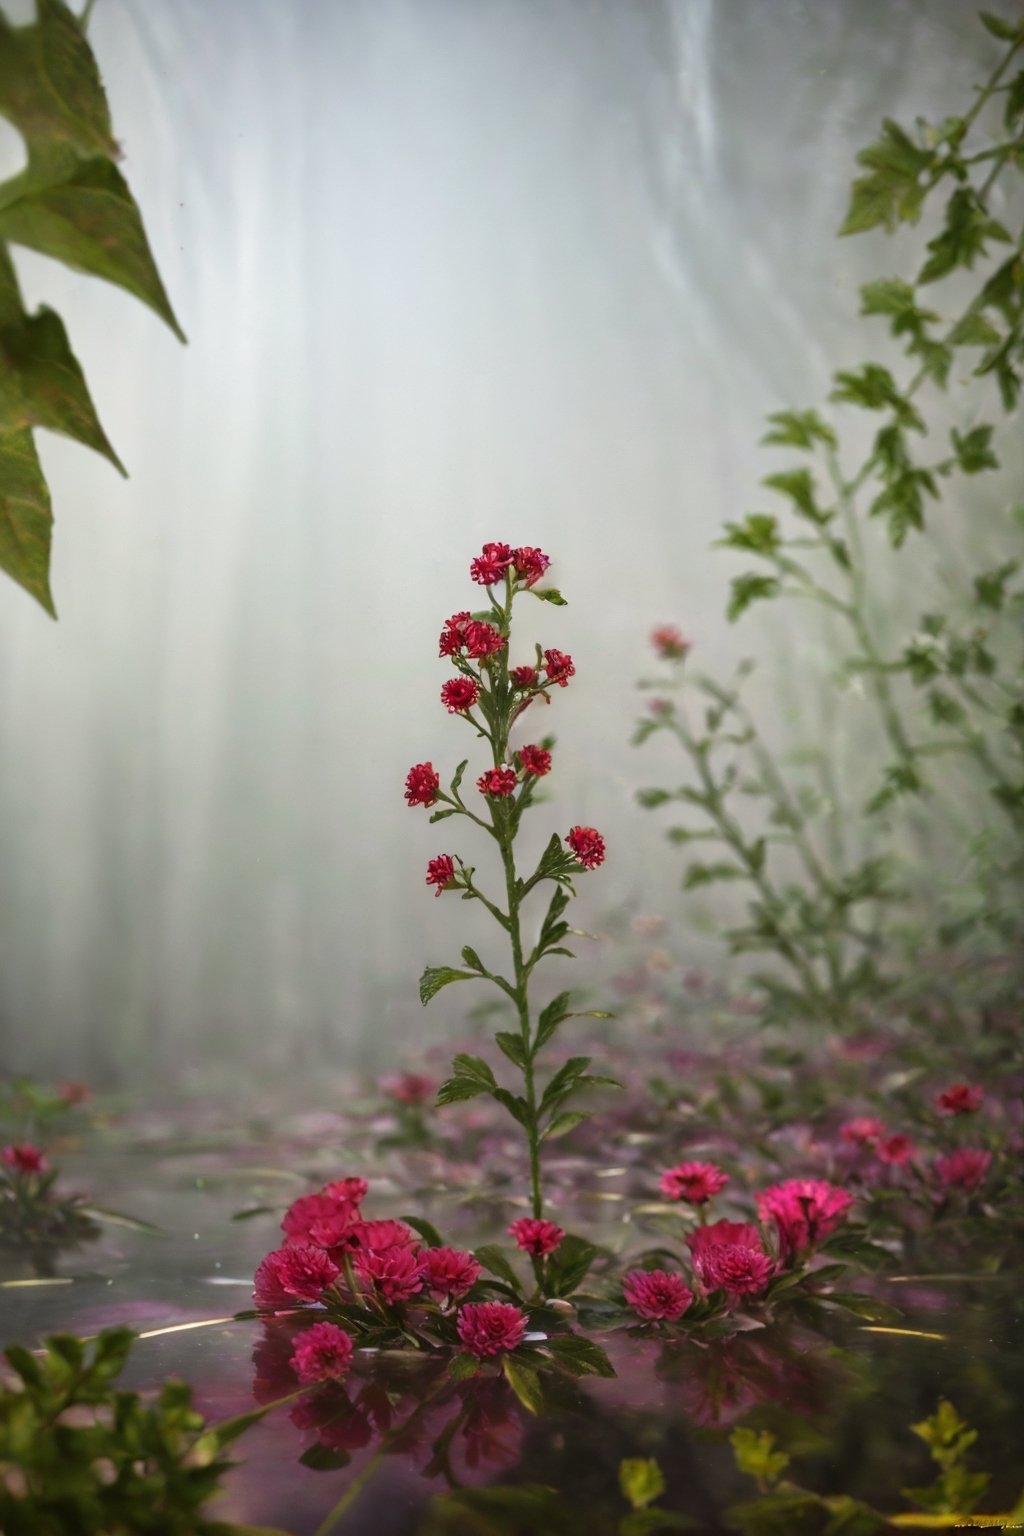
{"x":326,"y":1237}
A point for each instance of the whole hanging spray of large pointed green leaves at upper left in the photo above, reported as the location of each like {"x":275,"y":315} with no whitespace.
{"x":70,"y":204}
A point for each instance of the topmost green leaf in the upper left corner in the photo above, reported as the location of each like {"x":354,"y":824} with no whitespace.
{"x":50,"y":84}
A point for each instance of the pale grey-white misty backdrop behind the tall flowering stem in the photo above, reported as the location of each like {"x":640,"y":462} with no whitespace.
{"x":451,"y":271}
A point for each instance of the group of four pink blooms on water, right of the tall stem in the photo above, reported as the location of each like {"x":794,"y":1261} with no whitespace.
{"x":732,"y":1256}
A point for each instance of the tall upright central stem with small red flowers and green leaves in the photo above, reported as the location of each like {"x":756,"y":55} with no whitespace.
{"x":489,"y":694}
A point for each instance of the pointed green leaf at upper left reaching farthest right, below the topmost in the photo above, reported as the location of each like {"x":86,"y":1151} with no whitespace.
{"x":82,"y":213}
